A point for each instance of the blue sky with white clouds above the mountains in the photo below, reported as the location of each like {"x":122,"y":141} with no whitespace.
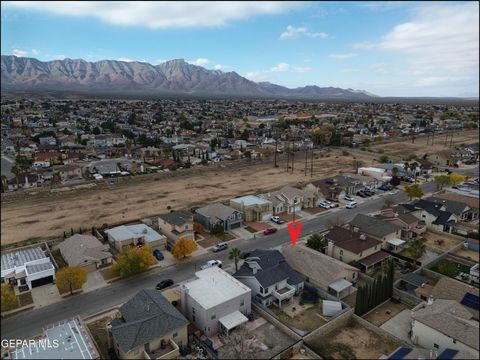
{"x":387,"y":48}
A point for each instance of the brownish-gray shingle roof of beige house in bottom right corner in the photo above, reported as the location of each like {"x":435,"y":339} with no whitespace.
{"x":451,"y":319}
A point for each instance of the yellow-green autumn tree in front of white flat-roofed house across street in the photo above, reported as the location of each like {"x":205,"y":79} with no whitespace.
{"x":131,"y":260}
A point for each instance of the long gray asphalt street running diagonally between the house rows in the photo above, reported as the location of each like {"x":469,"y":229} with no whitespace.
{"x":31,"y":322}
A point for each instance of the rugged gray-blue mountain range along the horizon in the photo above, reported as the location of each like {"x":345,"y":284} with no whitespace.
{"x":168,"y":78}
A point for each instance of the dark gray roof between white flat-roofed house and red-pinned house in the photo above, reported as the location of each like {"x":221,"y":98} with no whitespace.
{"x":273,"y":266}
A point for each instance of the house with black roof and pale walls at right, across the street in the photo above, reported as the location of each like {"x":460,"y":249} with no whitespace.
{"x":434,"y":215}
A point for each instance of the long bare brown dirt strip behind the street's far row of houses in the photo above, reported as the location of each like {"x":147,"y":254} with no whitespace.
{"x":48,"y":215}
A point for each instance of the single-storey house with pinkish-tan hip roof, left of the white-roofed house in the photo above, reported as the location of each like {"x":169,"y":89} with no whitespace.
{"x":85,"y":251}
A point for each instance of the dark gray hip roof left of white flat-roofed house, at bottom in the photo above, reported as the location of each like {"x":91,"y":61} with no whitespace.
{"x":147,"y":316}
